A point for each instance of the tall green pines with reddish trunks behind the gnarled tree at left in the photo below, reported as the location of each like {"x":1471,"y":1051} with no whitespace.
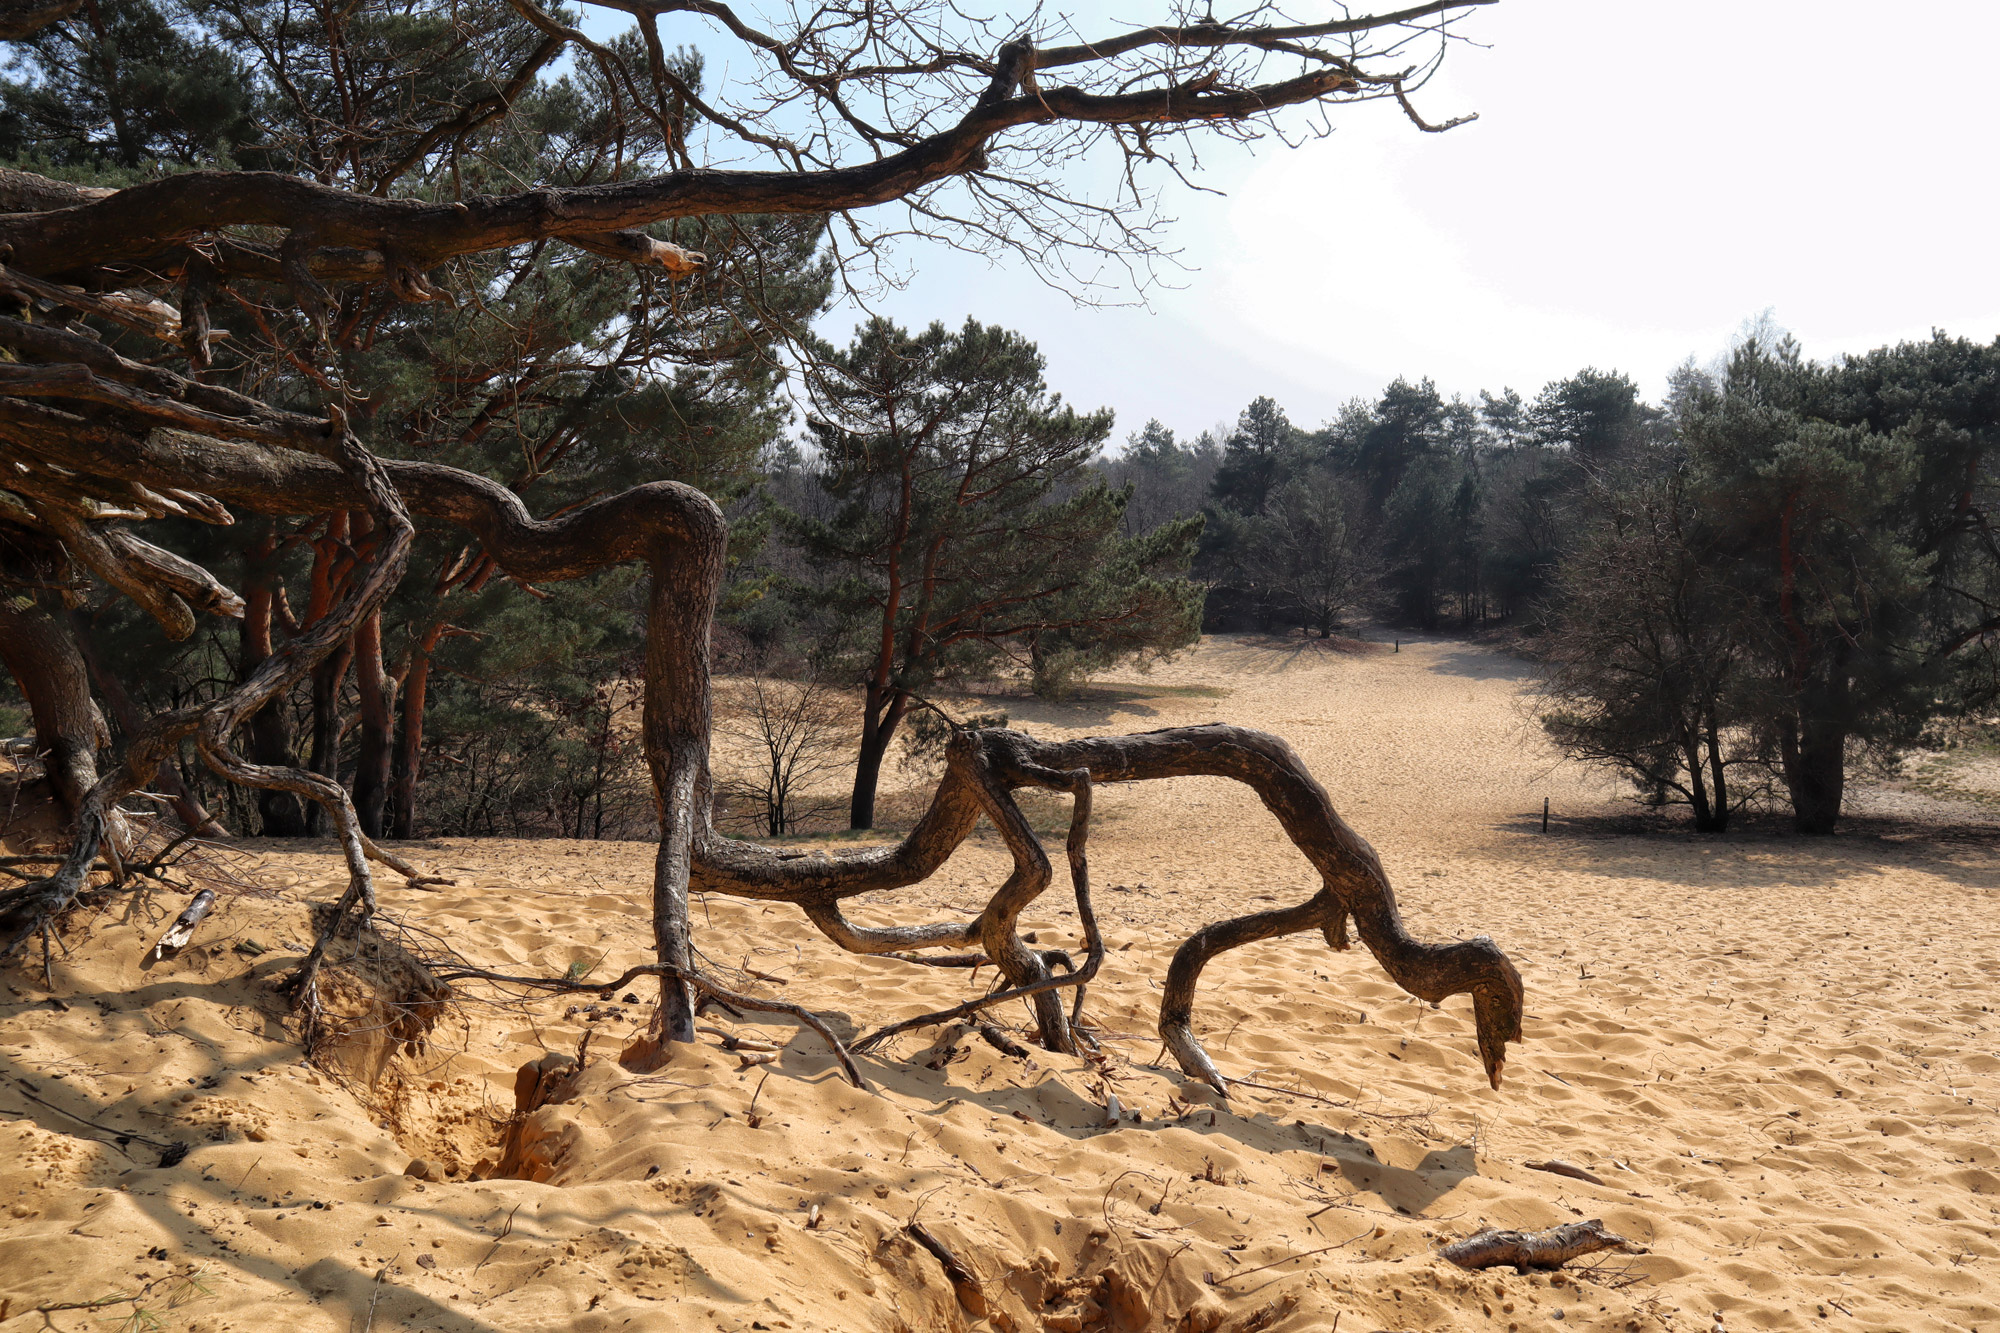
{"x":551,"y":371}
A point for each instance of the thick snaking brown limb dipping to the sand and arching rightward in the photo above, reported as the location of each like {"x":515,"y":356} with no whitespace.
{"x":681,"y":535}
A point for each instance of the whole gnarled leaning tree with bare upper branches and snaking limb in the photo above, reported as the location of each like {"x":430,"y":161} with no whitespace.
{"x":887,"y":119}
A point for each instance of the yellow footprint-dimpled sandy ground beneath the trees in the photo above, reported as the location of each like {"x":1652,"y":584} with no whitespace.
{"x":1777,"y":1056}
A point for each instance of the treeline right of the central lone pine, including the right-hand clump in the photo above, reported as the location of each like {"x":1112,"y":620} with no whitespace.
{"x":1781,"y":569}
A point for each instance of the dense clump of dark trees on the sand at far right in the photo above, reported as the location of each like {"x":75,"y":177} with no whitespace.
{"x":1805,"y":573}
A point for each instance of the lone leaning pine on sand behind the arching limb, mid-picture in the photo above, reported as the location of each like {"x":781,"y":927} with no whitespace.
{"x":967,"y":523}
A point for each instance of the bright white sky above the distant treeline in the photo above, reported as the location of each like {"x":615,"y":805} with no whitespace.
{"x":1643,"y":179}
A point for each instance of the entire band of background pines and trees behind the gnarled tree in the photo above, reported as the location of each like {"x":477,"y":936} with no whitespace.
{"x":1739,"y":593}
